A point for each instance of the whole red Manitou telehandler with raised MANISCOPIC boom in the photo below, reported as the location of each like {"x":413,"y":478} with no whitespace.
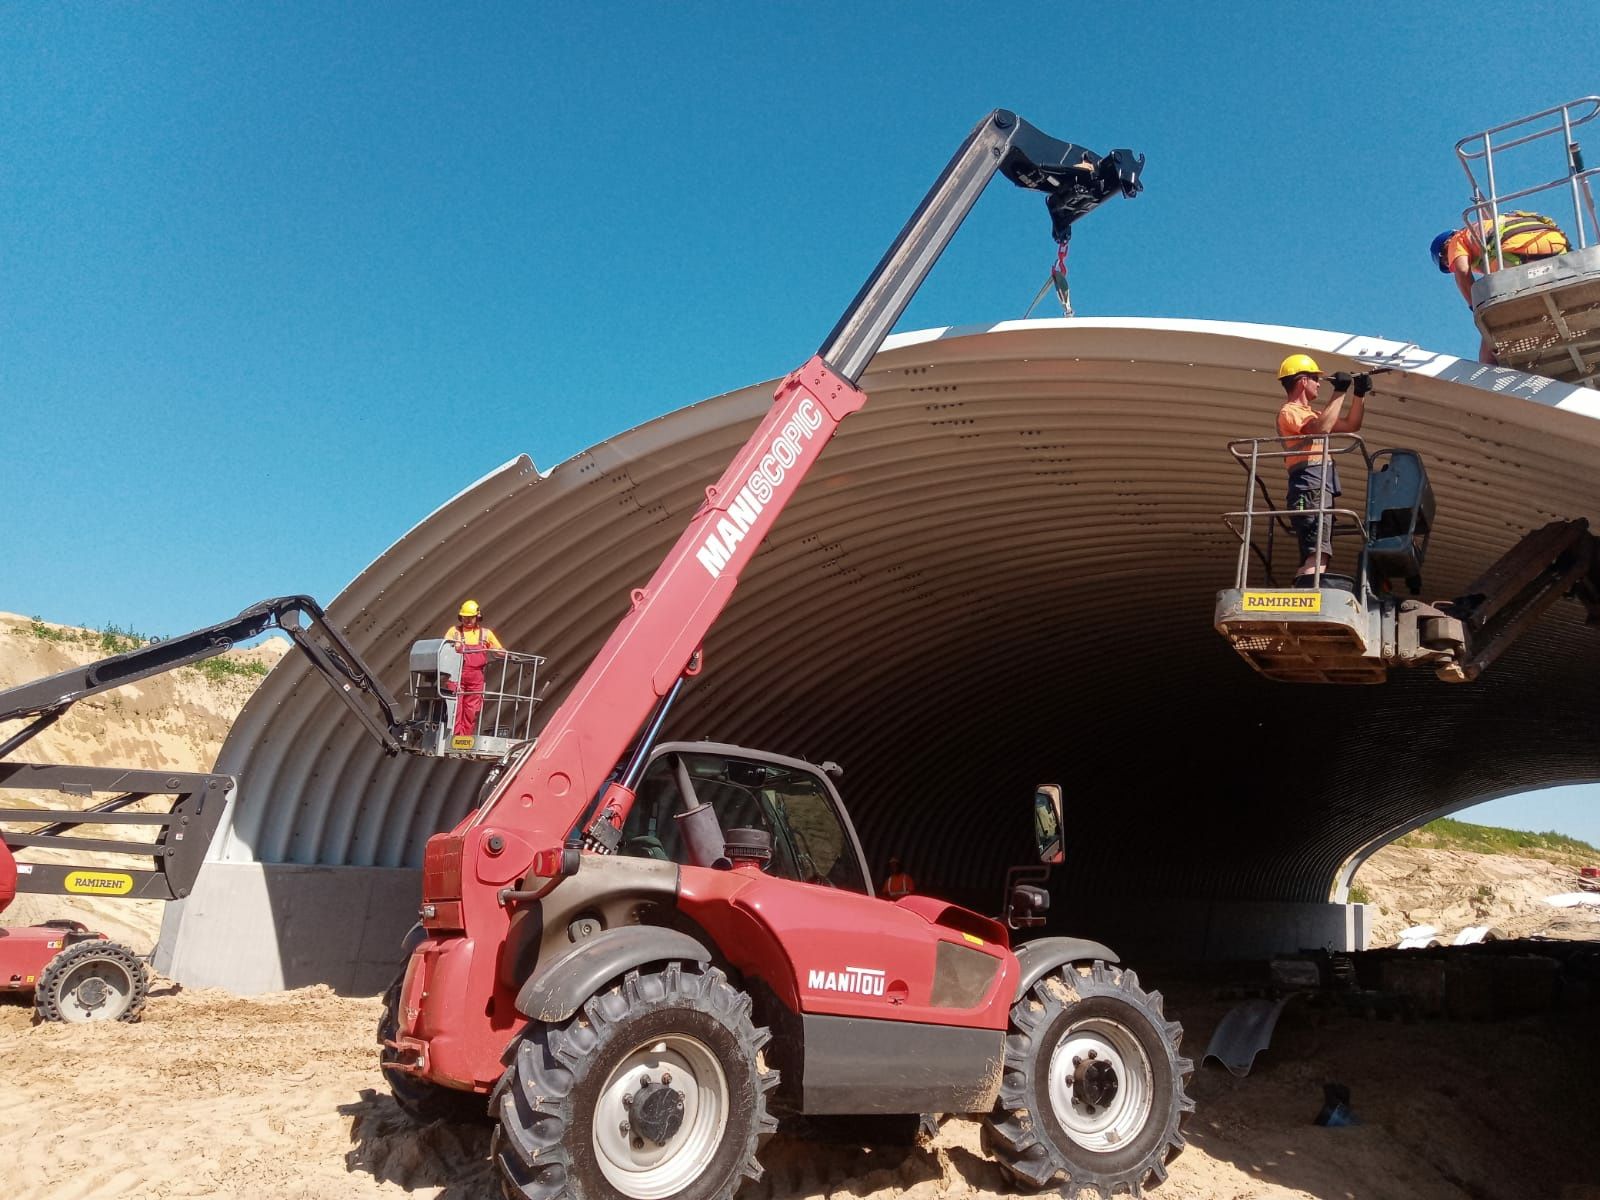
{"x":646,"y":953}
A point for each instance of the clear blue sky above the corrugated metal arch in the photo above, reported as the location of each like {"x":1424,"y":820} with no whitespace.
{"x":279,"y":279}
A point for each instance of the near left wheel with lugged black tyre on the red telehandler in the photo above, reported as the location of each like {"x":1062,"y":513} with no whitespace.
{"x":561,"y":1103}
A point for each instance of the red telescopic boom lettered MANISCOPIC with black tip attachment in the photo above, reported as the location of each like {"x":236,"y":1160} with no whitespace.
{"x":636,"y":674}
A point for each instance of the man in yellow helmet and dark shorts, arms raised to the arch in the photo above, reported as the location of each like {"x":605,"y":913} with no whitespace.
{"x":1314,"y":482}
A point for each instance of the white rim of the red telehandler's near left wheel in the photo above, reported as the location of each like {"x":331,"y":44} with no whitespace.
{"x":639,"y":1167}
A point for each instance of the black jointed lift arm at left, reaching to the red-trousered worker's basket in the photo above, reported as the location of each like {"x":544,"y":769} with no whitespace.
{"x":46,"y":700}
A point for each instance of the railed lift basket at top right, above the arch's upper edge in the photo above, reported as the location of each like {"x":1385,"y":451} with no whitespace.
{"x":1540,"y":316}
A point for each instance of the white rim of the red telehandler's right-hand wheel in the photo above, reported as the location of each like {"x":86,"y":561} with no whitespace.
{"x":1114,"y":1124}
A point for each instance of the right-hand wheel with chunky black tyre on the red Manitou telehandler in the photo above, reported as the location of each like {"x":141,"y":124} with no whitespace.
{"x":1094,"y":1097}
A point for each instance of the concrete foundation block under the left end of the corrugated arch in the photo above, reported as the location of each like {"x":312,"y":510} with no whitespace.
{"x":254,"y":927}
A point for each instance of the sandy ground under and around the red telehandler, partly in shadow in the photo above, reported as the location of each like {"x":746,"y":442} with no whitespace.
{"x":281,"y":1097}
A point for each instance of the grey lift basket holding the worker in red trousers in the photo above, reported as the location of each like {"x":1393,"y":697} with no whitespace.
{"x":510,"y":698}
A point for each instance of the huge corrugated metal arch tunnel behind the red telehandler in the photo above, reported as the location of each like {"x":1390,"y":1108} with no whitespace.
{"x":1001,"y":572}
